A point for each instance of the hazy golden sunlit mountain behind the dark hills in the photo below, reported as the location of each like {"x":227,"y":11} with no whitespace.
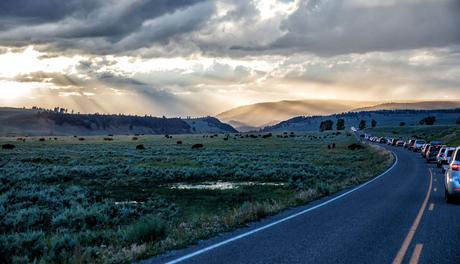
{"x":257,"y":116}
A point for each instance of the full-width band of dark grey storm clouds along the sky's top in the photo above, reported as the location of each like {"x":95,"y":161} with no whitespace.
{"x":181,"y":27}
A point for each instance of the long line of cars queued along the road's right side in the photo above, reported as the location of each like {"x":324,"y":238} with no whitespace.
{"x":446,"y":158}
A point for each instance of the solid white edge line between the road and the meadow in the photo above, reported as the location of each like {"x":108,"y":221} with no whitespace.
{"x":209,"y":248}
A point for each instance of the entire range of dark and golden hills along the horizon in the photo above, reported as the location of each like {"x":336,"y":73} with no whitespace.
{"x":271,"y":116}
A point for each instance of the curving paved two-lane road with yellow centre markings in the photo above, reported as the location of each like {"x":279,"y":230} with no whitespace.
{"x":400,"y":217}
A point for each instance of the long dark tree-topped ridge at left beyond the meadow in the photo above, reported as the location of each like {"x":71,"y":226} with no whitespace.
{"x":27,"y":122}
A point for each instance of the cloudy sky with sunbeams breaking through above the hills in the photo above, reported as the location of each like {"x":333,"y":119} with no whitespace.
{"x":199,"y":57}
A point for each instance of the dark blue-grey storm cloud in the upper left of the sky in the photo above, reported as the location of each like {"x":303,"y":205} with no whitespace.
{"x":93,"y":26}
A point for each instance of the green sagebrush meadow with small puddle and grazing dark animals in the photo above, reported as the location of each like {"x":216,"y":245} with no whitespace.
{"x":92,"y":199}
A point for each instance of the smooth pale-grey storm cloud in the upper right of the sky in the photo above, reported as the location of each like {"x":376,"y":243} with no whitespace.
{"x":338,"y":27}
